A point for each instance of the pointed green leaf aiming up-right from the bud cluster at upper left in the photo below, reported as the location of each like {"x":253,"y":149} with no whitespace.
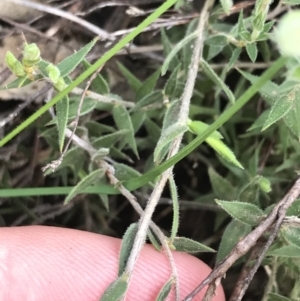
{"x":67,"y":65}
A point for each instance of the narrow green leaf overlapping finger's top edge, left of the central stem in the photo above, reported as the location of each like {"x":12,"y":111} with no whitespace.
{"x":126,"y":247}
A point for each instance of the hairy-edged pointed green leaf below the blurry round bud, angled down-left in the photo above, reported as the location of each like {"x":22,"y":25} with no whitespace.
{"x":280,"y":108}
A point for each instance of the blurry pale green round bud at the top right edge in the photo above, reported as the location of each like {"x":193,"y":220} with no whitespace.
{"x":287,"y":34}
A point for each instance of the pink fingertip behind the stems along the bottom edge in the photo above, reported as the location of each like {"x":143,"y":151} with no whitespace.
{"x":52,"y":263}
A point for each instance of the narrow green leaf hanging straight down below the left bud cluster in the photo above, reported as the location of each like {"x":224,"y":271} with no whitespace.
{"x":62,"y":113}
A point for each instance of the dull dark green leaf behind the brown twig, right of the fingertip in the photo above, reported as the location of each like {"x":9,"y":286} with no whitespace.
{"x":233,"y":233}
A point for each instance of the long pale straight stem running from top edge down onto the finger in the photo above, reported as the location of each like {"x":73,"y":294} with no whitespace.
{"x":183,"y":116}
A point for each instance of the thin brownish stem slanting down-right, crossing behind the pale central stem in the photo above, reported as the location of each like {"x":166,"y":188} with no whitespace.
{"x":131,"y":198}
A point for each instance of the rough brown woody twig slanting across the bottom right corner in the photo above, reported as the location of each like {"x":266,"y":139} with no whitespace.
{"x":243,"y":246}
